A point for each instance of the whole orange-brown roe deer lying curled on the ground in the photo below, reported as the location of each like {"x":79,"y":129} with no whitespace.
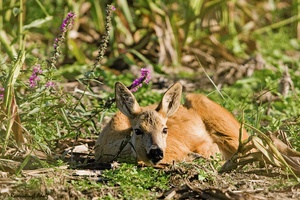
{"x":168,"y":131}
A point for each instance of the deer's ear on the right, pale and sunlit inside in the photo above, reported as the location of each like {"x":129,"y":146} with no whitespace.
{"x":171,"y":100}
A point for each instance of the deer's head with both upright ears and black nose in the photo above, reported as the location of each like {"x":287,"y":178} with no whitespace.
{"x":149,"y":126}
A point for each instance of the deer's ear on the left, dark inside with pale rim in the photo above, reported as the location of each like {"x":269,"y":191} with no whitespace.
{"x":125,"y":100}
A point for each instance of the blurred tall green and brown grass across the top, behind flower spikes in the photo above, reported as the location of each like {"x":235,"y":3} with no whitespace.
{"x":165,"y":34}
